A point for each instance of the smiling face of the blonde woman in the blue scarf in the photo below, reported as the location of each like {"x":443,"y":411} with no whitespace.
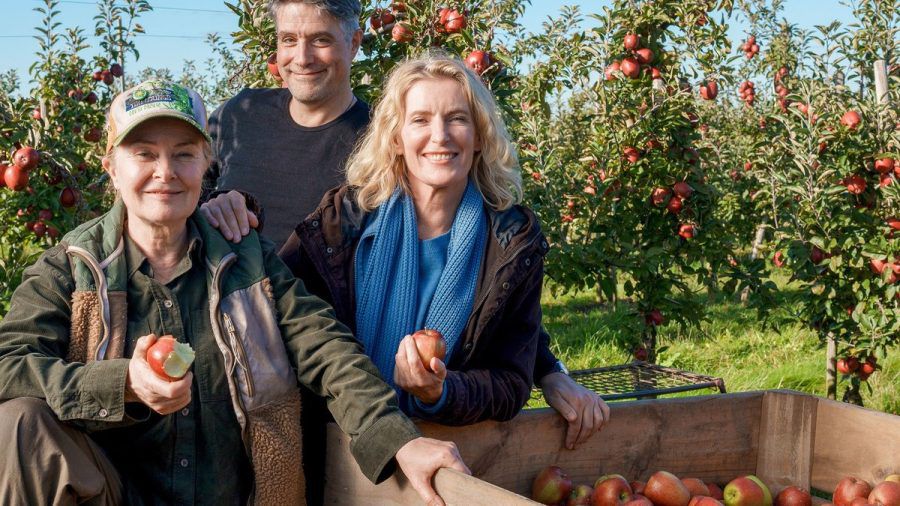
{"x":437,"y":138}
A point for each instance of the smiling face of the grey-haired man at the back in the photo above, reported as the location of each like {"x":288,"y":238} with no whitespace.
{"x":314,"y":53}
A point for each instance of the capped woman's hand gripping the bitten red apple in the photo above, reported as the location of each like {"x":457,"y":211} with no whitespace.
{"x":145,"y":386}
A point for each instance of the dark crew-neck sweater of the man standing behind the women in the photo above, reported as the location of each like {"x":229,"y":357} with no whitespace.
{"x":259,"y":149}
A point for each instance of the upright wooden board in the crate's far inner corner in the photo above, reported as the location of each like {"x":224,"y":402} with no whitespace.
{"x":786,"y":438}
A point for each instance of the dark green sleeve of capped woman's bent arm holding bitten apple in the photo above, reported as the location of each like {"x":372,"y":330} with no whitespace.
{"x":34,"y":339}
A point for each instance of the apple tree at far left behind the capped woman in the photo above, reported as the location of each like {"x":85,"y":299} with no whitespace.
{"x":50,"y":138}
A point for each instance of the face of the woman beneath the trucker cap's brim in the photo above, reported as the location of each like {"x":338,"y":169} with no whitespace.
{"x":158,"y":170}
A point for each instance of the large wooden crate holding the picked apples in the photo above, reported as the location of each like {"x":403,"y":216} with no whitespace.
{"x":784,"y":437}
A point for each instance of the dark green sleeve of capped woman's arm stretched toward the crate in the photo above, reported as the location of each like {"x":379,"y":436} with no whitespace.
{"x":331,"y":363}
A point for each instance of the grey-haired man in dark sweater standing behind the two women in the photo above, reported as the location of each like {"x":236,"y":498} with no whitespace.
{"x":286,"y":147}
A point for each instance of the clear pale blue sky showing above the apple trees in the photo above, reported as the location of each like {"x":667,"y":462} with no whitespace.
{"x":175,"y":34}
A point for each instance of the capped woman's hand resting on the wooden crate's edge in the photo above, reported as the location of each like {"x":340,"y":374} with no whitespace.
{"x":421,"y":458}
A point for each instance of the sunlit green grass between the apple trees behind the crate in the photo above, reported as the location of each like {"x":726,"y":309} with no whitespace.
{"x":732,"y":344}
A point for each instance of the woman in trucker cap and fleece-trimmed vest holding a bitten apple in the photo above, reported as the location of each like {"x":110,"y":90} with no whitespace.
{"x":86,"y":419}
